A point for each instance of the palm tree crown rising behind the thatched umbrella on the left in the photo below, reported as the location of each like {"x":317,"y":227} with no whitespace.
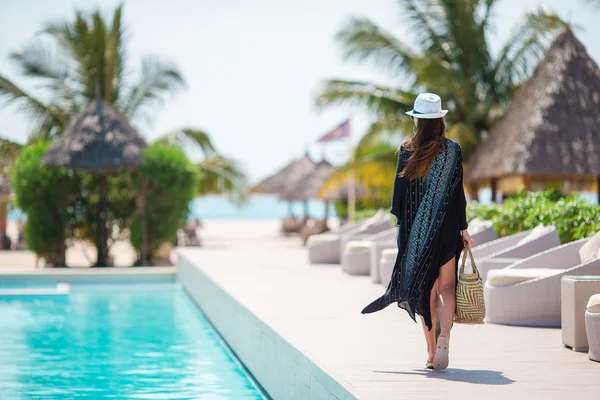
{"x":72,"y":61}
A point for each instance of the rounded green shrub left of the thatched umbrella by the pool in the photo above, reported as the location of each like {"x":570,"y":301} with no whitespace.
{"x":49,"y":198}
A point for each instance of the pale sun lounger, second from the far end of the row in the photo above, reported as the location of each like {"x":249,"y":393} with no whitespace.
{"x":356,"y":256}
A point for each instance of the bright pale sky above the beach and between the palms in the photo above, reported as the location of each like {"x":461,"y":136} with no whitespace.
{"x":252,"y":68}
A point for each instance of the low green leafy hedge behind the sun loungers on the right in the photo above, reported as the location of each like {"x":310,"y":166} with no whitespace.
{"x":574,"y":218}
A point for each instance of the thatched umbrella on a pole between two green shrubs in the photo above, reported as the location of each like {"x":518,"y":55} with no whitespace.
{"x":99,"y":140}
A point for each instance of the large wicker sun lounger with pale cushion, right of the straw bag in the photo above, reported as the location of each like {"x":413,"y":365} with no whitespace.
{"x":528,"y":293}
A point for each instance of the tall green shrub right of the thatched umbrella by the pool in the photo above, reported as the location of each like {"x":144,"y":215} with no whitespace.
{"x":169,"y":181}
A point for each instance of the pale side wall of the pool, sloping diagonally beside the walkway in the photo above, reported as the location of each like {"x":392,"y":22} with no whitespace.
{"x":282,"y":370}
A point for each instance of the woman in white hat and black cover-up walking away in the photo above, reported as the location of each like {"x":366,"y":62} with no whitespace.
{"x":429,"y":204}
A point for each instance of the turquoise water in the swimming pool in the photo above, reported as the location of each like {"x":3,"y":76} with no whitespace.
{"x":114,"y":341}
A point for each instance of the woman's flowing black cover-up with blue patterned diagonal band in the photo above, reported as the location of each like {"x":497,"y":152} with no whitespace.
{"x":430,"y":214}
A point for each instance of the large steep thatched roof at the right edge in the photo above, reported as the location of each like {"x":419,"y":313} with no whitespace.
{"x":551,"y":131}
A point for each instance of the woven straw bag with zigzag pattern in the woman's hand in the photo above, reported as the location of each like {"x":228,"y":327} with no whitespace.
{"x":470,"y":306}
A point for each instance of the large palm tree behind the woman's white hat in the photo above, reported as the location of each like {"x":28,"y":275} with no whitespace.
{"x":452,"y":57}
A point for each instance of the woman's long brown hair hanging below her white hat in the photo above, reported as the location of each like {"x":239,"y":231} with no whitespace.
{"x":425,"y":145}
